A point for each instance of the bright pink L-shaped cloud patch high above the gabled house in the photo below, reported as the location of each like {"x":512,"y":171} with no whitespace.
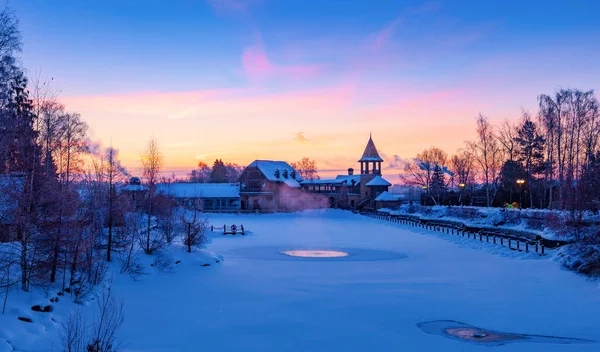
{"x":258,"y":67}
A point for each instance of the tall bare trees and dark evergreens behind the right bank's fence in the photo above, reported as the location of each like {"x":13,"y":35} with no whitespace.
{"x":546,"y":161}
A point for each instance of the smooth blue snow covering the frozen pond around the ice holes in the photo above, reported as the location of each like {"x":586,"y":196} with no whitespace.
{"x":394,"y":278}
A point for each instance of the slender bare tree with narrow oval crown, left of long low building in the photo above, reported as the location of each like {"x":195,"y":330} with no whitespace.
{"x":152,"y":162}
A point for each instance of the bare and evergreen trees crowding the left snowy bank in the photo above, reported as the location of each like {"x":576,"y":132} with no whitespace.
{"x":65,"y":209}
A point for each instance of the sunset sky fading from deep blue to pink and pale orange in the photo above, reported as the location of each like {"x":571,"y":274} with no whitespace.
{"x":241,"y":80}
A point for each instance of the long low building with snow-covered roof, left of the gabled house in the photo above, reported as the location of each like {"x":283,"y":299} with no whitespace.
{"x":210,"y":196}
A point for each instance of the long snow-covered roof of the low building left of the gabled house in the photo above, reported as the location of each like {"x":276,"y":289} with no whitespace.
{"x":200,"y":190}
